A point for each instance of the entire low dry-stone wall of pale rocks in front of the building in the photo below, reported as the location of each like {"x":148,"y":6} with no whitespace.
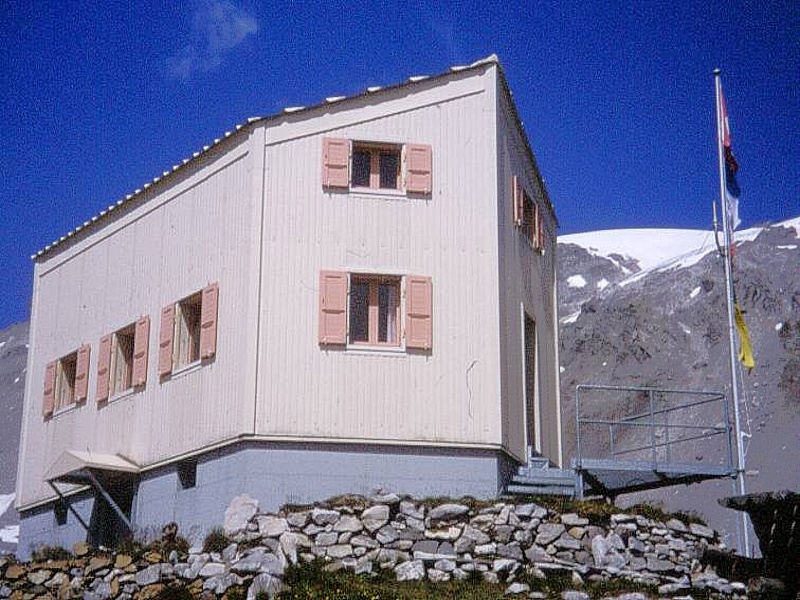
{"x":500,"y":542}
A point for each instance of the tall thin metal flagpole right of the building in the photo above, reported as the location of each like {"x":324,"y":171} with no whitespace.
{"x":743,"y":537}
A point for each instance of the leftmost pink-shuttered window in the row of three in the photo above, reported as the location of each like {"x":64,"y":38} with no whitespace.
{"x":66,"y":381}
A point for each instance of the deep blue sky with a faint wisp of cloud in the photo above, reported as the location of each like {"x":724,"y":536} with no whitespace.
{"x":100,"y":97}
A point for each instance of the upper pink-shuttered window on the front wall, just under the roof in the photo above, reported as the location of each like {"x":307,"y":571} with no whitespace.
{"x":374,"y":165}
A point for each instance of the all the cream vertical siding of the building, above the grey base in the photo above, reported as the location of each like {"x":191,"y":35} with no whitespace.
{"x":254,"y":217}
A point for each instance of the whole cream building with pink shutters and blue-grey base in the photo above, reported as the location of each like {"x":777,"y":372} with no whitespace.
{"x":354,"y":296}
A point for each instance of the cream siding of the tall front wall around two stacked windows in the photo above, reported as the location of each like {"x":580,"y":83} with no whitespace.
{"x":447,"y":395}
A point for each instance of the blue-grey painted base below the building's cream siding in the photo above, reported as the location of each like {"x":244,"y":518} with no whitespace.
{"x":275,"y":474}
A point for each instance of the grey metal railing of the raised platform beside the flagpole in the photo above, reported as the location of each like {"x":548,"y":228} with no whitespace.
{"x":651,"y":425}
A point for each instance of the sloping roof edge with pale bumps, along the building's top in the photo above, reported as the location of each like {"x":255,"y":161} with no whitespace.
{"x":284,"y":113}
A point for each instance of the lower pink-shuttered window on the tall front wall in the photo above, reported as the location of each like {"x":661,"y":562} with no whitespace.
{"x":364,"y":309}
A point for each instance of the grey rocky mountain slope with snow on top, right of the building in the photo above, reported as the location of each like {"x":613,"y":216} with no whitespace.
{"x":647,"y":308}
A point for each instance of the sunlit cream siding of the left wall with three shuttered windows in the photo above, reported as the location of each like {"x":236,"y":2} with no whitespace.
{"x":189,"y":234}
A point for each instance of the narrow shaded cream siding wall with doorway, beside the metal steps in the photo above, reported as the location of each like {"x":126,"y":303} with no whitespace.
{"x":527,"y":282}
